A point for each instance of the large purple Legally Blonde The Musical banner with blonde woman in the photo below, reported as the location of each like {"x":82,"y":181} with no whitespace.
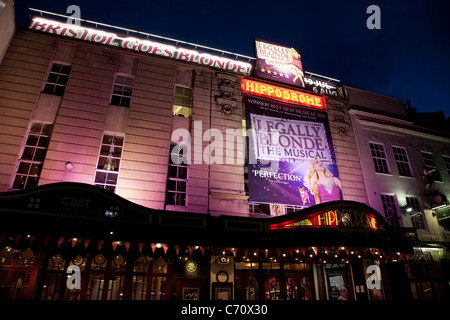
{"x":291,"y":158}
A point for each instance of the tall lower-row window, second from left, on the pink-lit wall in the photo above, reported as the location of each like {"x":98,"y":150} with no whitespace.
{"x":114,"y":158}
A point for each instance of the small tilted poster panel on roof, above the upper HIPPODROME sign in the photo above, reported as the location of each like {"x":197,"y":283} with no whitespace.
{"x":278,"y":63}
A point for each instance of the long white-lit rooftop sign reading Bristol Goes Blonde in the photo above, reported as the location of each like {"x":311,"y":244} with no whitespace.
{"x":140,"y":45}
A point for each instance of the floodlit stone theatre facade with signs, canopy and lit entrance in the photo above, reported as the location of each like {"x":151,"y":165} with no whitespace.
{"x":135,"y":168}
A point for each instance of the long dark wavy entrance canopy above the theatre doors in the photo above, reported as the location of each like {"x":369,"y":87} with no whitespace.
{"x":82,"y":210}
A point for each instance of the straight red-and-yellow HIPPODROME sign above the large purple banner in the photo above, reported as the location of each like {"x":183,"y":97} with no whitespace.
{"x":283,"y":94}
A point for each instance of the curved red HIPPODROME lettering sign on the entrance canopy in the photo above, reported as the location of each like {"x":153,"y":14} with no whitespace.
{"x":332,"y":219}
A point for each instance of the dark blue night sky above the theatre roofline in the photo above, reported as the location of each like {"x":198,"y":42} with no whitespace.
{"x":407,"y":58}
